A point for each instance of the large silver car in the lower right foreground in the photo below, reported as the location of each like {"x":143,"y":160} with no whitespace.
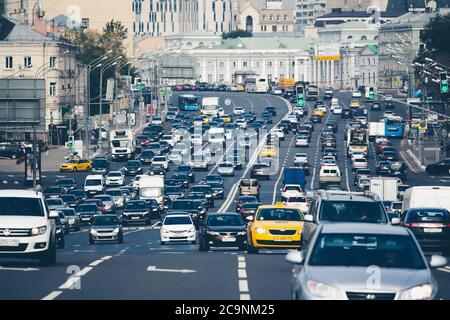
{"x":359,"y":261}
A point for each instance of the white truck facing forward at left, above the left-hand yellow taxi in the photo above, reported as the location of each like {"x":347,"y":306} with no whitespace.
{"x":122,"y":144}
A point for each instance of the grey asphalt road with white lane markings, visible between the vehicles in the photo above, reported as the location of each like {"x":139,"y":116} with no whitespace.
{"x":143,"y":268}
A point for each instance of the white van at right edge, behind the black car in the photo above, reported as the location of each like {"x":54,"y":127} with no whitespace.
{"x":427,"y":197}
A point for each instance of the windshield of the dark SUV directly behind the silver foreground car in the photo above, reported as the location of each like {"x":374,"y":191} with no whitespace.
{"x":352,"y":211}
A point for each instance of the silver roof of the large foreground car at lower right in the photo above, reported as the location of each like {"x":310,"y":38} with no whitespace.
{"x":363,"y":228}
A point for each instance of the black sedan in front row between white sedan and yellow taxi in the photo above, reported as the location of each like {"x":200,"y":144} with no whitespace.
{"x":223,"y":230}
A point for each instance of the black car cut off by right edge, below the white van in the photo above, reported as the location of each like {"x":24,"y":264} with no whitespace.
{"x":431,"y":226}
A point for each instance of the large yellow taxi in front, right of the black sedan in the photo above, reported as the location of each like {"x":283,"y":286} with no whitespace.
{"x":275,"y":226}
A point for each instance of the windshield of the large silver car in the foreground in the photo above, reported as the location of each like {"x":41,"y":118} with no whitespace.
{"x":363,"y":250}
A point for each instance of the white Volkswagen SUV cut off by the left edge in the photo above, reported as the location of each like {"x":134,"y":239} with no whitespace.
{"x":27,"y":229}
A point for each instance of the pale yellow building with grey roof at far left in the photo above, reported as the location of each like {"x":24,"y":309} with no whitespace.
{"x":27,"y":54}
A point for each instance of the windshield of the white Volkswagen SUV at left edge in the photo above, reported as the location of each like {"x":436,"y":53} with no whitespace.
{"x":15,"y":206}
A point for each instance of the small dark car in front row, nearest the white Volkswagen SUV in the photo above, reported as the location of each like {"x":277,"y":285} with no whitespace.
{"x":106,"y":227}
